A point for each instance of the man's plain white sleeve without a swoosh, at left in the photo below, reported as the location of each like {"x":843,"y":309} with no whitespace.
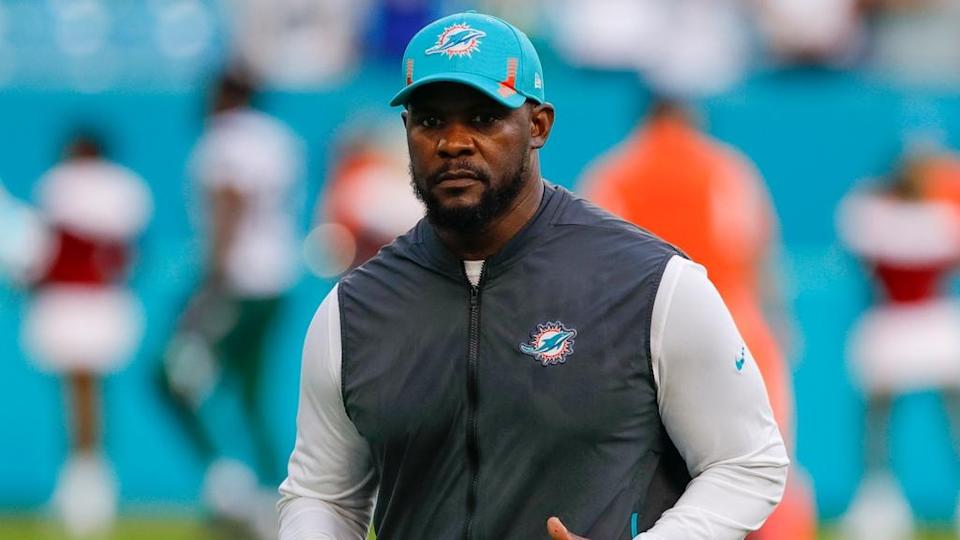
{"x":331,"y":482}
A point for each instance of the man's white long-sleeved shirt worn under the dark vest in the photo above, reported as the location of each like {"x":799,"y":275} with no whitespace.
{"x":711,"y":398}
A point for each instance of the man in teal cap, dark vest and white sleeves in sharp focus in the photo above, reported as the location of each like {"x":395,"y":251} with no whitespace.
{"x":521,"y":355}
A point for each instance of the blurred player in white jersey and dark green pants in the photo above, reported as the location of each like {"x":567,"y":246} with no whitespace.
{"x":248,"y":165}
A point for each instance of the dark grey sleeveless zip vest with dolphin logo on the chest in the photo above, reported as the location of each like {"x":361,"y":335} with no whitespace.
{"x":490,"y":408}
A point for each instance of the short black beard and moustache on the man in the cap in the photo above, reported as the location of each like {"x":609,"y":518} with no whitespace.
{"x":494,"y":202}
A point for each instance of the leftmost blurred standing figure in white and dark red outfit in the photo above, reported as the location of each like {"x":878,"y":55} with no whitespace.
{"x":83,"y":322}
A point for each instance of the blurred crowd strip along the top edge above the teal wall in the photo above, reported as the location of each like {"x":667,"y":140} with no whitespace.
{"x":689,"y":46}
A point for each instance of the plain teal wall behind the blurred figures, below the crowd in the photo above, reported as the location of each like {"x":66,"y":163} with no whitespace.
{"x":811,"y":133}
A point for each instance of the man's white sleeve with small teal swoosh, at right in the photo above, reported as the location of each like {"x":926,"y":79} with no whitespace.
{"x":716,"y":411}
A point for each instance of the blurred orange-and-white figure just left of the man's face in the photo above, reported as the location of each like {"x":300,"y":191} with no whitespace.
{"x":367,"y":201}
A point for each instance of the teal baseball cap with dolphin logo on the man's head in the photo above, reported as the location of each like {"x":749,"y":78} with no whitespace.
{"x":477,"y":50}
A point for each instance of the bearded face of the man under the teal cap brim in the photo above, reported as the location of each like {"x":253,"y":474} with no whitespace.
{"x":469,"y":155}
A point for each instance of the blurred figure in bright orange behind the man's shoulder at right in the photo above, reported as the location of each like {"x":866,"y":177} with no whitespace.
{"x":708,"y":200}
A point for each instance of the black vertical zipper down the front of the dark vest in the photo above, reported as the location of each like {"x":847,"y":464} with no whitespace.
{"x":473,"y":451}
